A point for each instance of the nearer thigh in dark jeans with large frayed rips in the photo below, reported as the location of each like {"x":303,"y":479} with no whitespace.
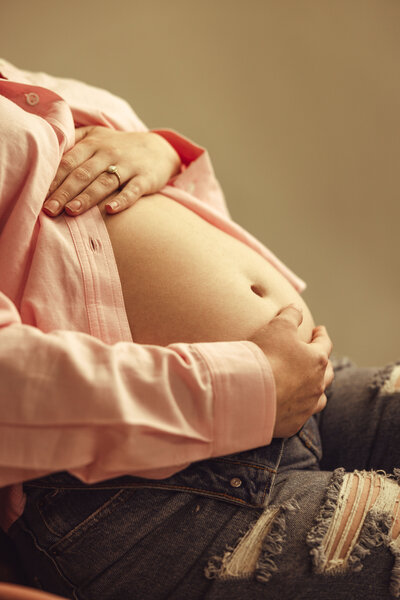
{"x":154,"y":545}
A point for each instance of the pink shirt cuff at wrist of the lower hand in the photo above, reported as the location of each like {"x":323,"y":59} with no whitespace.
{"x":244,"y":395}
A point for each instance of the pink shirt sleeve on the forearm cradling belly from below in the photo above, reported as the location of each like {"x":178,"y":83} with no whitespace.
{"x":68,"y":401}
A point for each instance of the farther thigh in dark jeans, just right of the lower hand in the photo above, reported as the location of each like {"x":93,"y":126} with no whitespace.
{"x":360,"y":424}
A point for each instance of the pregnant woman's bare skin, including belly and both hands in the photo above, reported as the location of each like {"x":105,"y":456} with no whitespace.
{"x":234,"y":295}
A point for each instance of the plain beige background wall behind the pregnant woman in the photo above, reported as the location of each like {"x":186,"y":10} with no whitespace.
{"x":298,"y":102}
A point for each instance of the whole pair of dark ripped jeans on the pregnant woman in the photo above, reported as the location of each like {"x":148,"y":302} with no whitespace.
{"x":314,"y":516}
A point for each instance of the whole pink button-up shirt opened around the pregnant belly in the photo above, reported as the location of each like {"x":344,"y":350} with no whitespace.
{"x":76,"y":393}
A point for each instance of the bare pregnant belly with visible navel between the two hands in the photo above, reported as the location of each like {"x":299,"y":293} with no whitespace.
{"x":184,"y":280}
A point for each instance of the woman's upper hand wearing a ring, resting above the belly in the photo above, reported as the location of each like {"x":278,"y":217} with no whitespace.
{"x":144,"y":160}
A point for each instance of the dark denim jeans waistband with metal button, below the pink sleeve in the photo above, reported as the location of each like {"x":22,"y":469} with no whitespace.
{"x":245,"y":478}
